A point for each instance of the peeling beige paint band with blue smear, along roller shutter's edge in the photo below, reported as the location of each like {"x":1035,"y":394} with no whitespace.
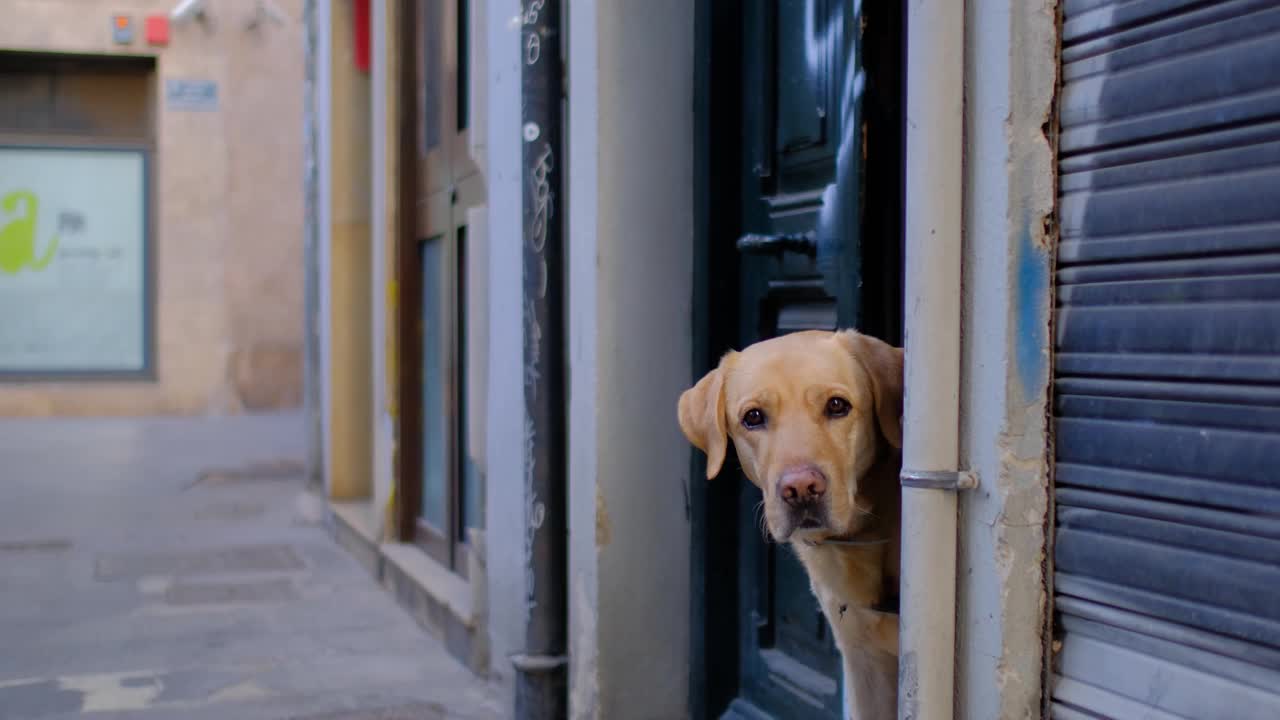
{"x":1023,"y":482}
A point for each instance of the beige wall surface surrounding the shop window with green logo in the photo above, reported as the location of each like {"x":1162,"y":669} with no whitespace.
{"x":228,"y":209}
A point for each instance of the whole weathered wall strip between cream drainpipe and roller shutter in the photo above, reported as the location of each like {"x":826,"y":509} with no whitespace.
{"x":1011,"y":75}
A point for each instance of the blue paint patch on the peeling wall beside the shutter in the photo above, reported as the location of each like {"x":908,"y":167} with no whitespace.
{"x":1031,"y":322}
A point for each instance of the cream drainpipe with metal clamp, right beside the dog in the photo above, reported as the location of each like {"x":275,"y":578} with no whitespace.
{"x":931,"y":453}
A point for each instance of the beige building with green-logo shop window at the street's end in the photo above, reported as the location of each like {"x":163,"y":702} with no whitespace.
{"x":153,"y":217}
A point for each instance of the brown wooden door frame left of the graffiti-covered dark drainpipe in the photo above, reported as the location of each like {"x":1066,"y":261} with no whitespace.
{"x":432,"y":184}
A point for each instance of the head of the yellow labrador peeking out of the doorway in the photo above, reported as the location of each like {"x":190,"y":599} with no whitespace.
{"x":807,"y":413}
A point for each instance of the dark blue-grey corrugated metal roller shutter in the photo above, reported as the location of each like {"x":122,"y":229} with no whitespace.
{"x":1168,"y":362}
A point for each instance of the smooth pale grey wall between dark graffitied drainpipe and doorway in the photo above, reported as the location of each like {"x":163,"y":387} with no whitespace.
{"x":630,"y":323}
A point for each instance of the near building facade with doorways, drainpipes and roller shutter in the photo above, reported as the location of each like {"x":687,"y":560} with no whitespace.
{"x":1062,"y":209}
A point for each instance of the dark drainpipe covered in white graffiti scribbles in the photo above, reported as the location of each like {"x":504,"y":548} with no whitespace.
{"x":542,"y":668}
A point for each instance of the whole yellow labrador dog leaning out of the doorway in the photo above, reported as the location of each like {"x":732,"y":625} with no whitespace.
{"x":816,"y":418}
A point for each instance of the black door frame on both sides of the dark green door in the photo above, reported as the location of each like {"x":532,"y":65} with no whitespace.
{"x":715,"y":644}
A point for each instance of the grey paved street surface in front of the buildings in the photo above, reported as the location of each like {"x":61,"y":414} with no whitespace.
{"x":177,"y":568}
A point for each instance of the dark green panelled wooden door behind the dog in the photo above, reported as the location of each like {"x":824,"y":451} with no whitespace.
{"x":803,"y":257}
